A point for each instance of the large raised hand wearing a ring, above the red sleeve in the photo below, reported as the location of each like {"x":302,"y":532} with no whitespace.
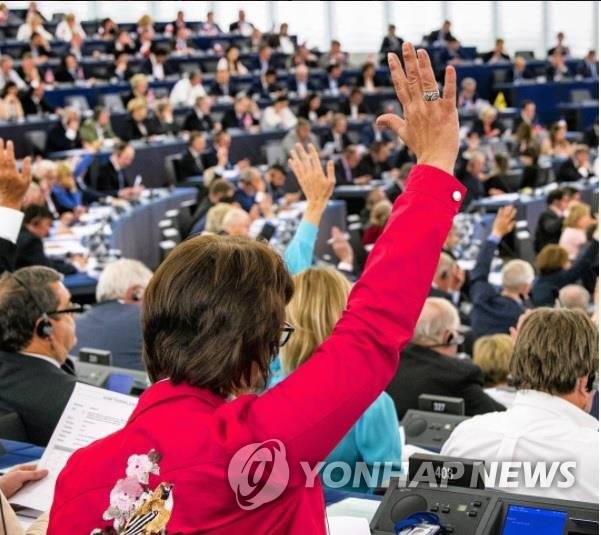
{"x":429,"y":128}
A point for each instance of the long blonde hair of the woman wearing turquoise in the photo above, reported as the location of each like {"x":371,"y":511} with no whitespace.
{"x":320,"y":296}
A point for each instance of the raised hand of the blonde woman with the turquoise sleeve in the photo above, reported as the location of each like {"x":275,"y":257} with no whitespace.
{"x":315,"y":184}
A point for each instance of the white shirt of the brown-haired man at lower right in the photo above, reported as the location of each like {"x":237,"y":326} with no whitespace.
{"x":537,"y":427}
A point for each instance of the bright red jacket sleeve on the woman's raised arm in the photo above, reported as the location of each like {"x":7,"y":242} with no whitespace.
{"x":315,"y":406}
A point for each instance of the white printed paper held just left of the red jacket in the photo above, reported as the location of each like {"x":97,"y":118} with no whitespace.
{"x":91,"y":413}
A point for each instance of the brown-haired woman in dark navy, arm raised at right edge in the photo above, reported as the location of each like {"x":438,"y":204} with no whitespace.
{"x":556,"y":271}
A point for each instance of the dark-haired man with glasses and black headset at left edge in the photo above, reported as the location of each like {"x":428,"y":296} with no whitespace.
{"x":37,"y":331}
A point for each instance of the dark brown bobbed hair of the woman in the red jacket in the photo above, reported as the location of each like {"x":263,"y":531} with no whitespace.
{"x":213,"y":313}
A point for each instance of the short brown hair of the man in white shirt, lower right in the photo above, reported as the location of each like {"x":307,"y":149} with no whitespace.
{"x":554,"y":349}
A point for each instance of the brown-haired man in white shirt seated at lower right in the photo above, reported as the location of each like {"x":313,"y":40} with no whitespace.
{"x":554,"y":366}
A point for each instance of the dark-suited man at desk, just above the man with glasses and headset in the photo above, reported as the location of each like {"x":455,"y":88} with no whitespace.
{"x":37,"y":222}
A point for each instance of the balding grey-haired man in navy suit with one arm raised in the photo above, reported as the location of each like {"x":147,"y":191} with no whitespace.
{"x":496,"y":312}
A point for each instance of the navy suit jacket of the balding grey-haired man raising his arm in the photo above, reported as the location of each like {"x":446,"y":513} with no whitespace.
{"x":492,"y":312}
